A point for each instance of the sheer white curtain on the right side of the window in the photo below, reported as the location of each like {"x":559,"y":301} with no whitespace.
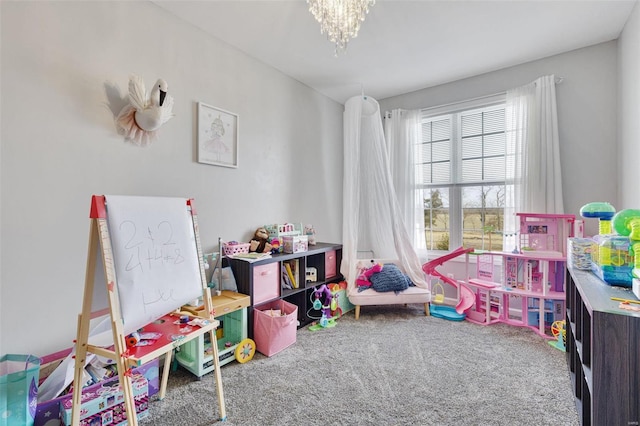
{"x":533,"y":152}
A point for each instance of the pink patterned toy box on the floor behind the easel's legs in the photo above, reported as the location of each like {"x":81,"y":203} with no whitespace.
{"x":106,"y":406}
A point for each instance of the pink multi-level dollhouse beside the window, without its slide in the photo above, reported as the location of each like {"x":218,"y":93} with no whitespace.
{"x":525,"y":288}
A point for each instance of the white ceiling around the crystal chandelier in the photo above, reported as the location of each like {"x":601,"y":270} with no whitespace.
{"x":406,"y":45}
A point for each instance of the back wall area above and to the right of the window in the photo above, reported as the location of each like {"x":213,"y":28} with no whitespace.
{"x":587,"y":105}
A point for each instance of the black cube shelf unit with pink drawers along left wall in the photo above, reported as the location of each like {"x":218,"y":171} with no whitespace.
{"x":292,"y":277}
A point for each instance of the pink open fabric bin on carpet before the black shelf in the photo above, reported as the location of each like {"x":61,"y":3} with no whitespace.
{"x":274,"y":326}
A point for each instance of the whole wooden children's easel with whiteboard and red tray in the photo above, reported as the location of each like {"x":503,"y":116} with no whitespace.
{"x":143,"y":257}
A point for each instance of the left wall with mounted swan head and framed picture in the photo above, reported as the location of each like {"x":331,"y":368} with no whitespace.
{"x":59,"y":146}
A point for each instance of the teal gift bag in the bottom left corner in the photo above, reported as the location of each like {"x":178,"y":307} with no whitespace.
{"x":18,"y":389}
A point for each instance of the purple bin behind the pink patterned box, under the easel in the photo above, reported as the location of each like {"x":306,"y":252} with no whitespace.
{"x":48,"y":413}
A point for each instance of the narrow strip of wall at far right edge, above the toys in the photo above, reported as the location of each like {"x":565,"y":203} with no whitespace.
{"x":629,"y":117}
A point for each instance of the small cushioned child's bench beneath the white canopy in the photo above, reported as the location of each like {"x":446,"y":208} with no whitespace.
{"x":370,"y":296}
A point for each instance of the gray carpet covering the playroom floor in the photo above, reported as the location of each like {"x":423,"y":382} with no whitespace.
{"x":392,"y":367}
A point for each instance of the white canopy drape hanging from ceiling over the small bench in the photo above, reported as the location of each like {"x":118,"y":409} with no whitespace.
{"x":372,"y":219}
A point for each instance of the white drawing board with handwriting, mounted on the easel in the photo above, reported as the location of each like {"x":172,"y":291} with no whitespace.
{"x":155,"y":256}
